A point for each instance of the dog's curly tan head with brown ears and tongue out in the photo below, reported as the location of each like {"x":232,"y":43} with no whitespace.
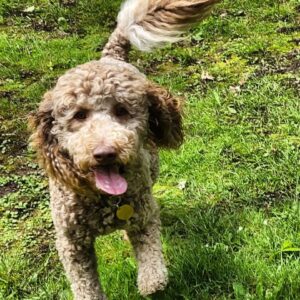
{"x":95,"y":121}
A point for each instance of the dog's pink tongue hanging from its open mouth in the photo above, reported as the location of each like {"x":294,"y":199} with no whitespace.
{"x":110,"y":181}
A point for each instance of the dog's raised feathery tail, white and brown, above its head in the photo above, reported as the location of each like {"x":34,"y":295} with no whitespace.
{"x":148,"y":24}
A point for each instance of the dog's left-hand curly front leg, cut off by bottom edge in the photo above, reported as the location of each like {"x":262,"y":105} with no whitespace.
{"x":79,"y":261}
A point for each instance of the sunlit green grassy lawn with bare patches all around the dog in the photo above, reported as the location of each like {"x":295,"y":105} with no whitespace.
{"x":229,"y":196}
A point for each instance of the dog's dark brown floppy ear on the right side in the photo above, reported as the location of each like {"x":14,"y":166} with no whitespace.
{"x":165,"y":119}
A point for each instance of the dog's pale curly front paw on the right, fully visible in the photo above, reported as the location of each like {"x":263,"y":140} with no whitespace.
{"x":152,"y":279}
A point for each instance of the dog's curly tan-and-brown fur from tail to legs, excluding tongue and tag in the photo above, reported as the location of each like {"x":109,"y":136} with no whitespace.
{"x":80,"y":115}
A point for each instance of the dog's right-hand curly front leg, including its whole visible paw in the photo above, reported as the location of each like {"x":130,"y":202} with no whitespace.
{"x":152,"y":272}
